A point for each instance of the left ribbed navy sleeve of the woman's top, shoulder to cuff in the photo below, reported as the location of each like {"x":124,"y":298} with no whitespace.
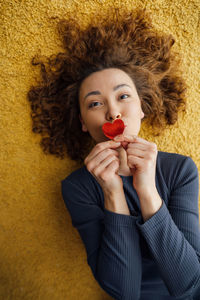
{"x":111,"y":241}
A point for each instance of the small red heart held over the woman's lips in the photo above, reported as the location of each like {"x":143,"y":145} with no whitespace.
{"x":113,"y":129}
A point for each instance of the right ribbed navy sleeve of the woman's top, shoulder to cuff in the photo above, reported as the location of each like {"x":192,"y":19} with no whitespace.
{"x":173,"y":234}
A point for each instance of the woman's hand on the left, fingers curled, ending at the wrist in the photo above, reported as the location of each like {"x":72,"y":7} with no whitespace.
{"x":103,"y":163}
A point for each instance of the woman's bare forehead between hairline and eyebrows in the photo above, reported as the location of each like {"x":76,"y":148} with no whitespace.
{"x":106,"y":78}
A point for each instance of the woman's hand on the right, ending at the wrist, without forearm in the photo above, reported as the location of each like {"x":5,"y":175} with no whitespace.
{"x":141,"y":159}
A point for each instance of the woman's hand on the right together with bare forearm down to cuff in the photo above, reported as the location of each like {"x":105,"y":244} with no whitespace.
{"x":141,"y":159}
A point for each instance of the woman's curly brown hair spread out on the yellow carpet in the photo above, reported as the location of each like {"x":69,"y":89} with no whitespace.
{"x":127,"y":42}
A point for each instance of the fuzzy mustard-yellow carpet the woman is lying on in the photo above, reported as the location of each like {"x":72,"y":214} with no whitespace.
{"x":41,"y":254}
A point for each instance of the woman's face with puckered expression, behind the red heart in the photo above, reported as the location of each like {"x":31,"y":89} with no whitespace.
{"x":106,"y":95}
